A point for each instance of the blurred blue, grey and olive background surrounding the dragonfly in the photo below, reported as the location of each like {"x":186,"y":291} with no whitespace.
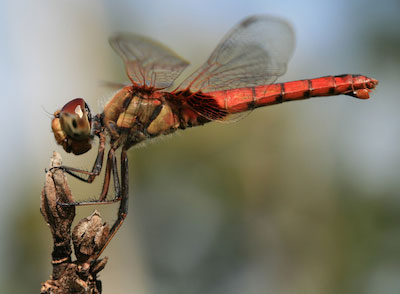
{"x":297,"y":198}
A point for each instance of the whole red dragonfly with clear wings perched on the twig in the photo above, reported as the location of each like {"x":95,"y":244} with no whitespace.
{"x":237,"y":77}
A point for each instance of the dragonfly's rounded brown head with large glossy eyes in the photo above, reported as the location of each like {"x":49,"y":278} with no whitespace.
{"x":72,"y":125}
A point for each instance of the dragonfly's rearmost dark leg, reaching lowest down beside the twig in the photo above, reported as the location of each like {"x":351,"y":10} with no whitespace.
{"x":123,"y":207}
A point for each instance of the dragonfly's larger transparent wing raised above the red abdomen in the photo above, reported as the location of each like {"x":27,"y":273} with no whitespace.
{"x":253,"y":53}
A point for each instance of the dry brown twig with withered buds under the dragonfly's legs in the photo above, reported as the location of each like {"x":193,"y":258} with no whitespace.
{"x":88,"y":236}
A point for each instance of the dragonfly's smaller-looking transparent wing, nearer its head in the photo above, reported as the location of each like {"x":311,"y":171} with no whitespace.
{"x":147,"y":62}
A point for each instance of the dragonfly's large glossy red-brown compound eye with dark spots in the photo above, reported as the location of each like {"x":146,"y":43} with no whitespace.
{"x":75,"y":119}
